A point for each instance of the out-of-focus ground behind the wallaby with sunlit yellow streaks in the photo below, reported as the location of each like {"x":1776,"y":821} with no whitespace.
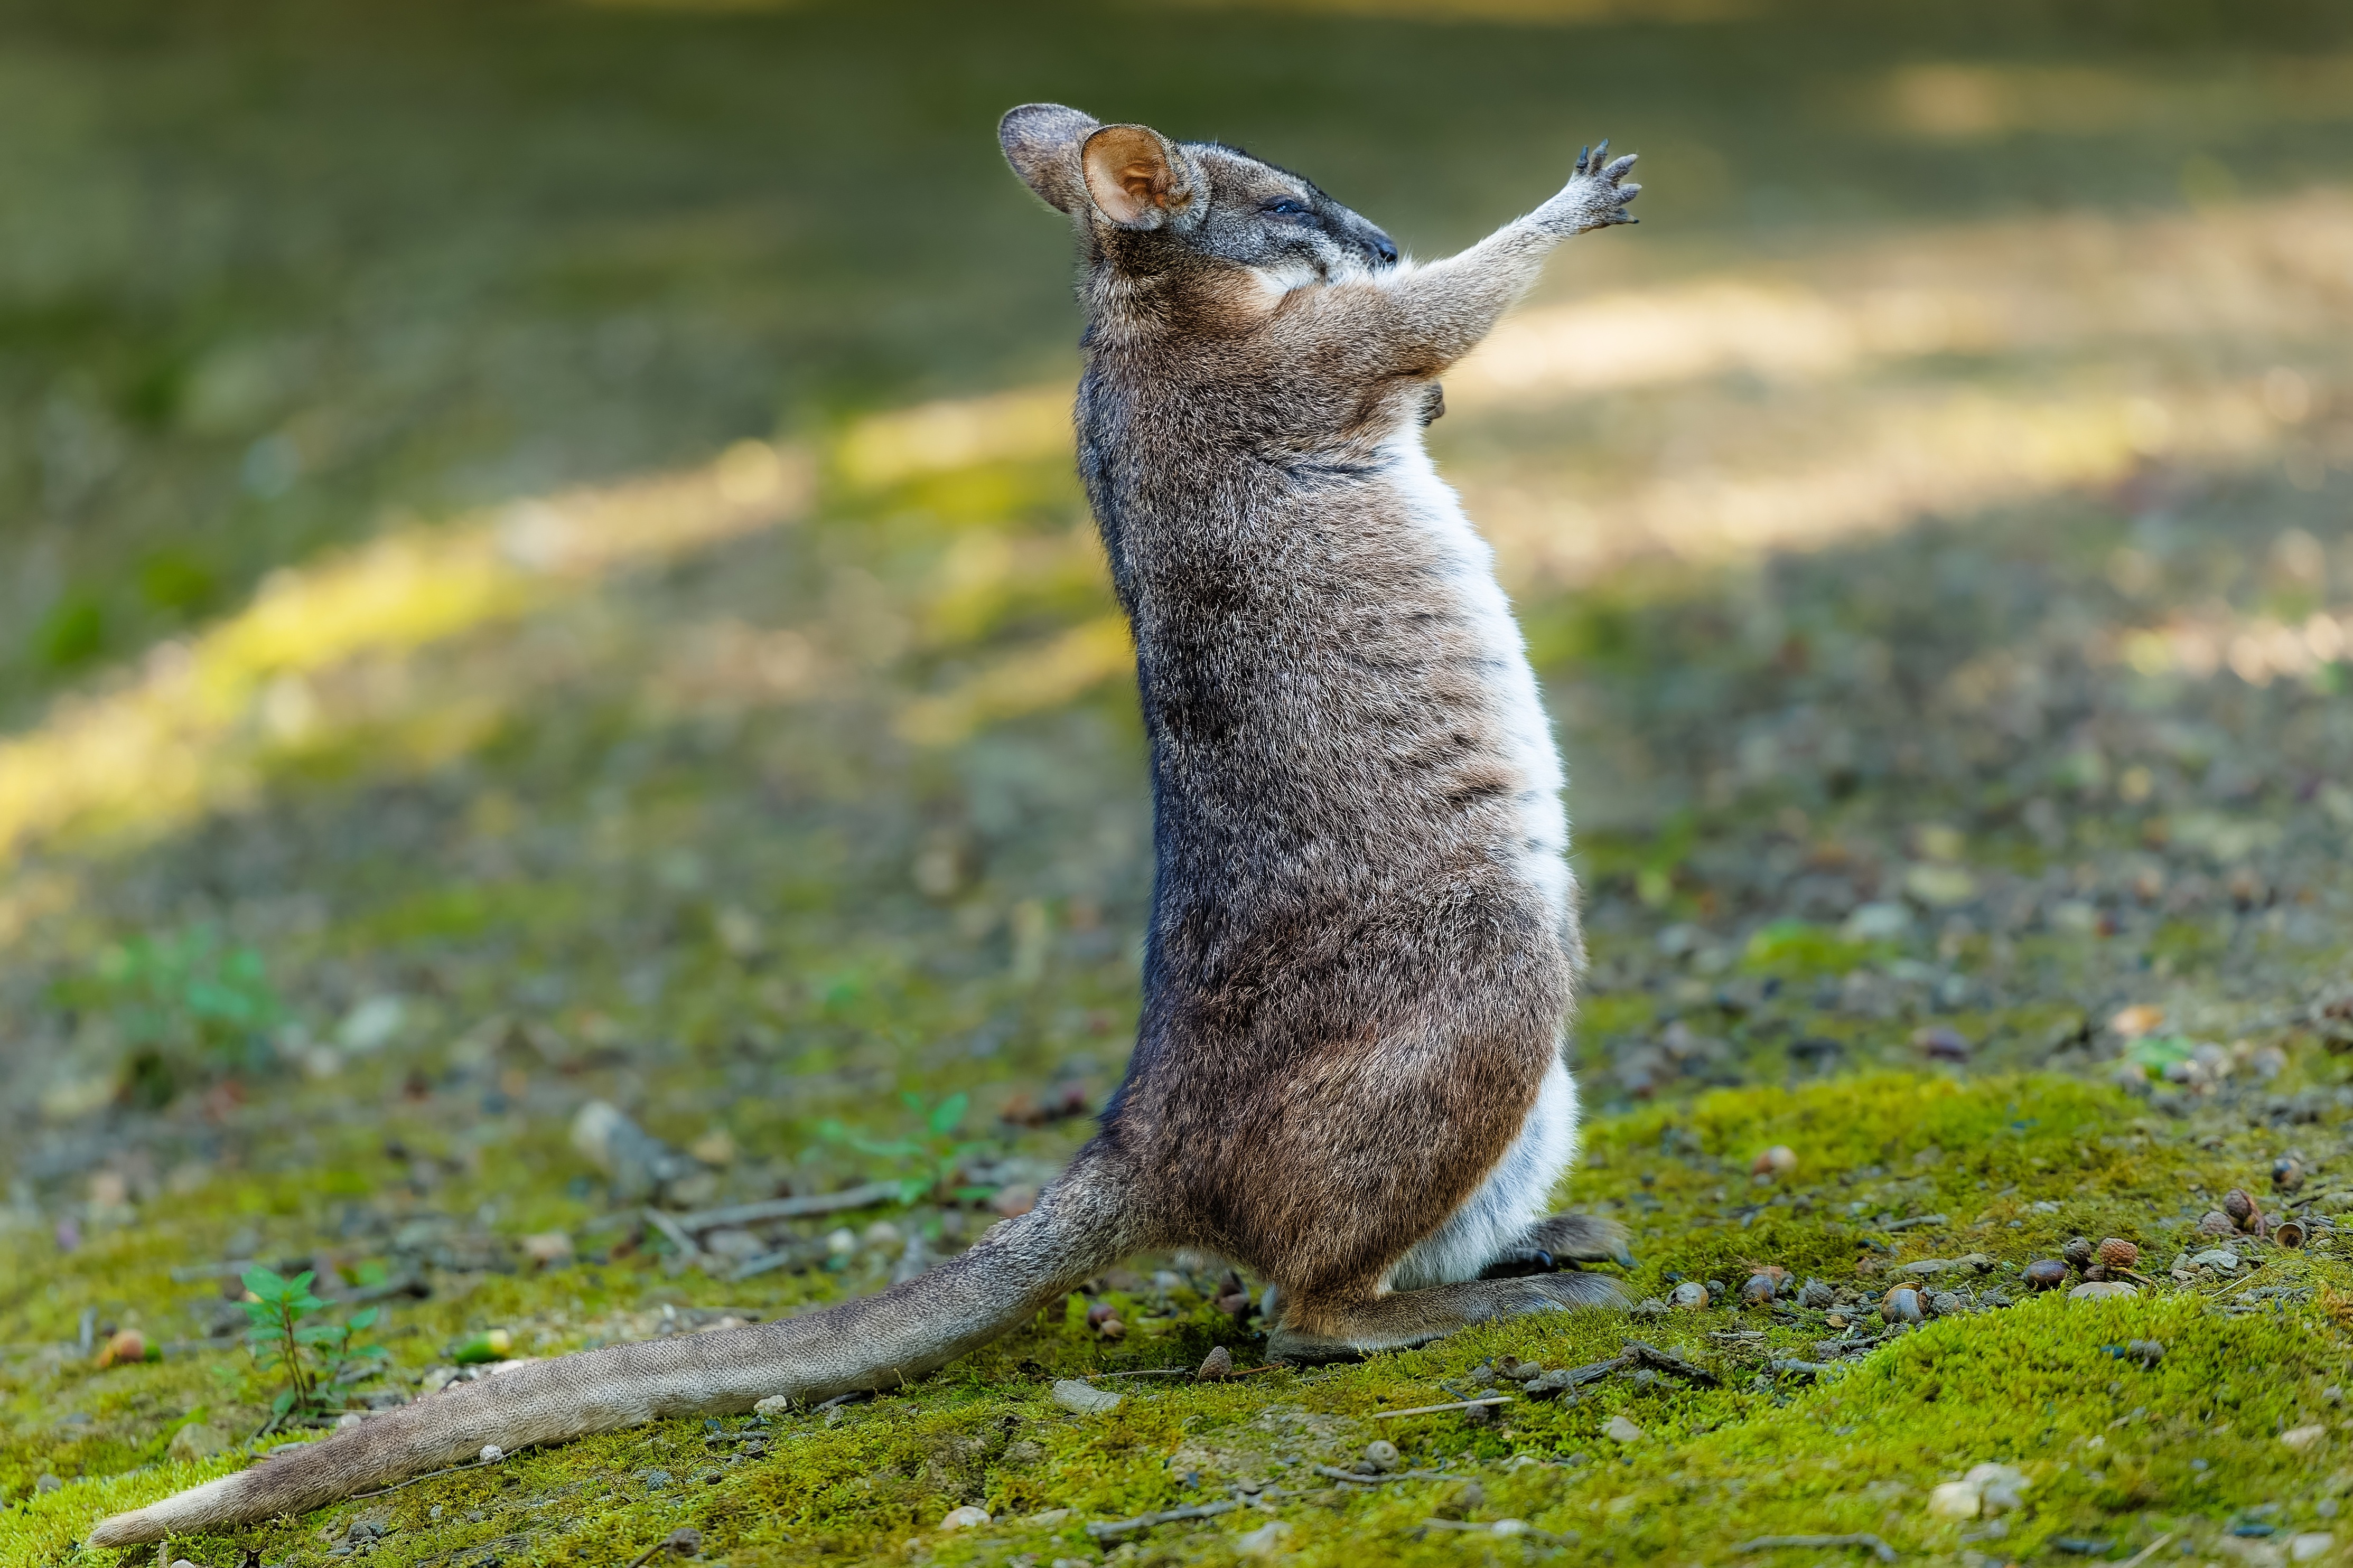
{"x":540,"y":561}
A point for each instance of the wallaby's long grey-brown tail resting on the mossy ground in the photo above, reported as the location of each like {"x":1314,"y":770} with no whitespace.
{"x":1079,"y":1228}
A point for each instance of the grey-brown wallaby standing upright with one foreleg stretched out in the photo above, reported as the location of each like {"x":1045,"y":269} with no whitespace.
{"x":1364,"y":927}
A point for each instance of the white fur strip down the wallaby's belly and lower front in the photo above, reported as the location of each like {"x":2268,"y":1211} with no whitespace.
{"x":1521,"y":1188}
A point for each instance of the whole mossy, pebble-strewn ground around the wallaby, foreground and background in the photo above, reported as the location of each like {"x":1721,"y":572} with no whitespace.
{"x":1945,"y":601}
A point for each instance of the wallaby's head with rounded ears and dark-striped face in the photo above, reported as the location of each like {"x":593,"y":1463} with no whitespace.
{"x":1152,"y":203}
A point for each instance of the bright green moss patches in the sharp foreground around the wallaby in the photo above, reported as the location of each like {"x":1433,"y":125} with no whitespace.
{"x":2015,"y":1165}
